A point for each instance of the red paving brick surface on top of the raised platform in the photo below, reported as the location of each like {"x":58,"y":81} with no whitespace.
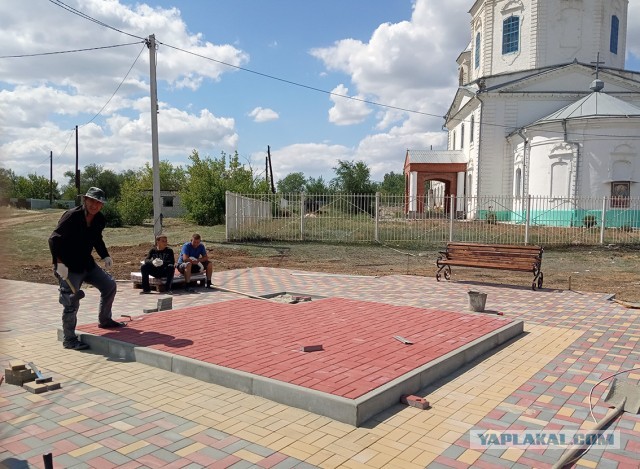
{"x":265,"y":337}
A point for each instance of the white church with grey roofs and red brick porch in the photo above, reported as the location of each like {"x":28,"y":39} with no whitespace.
{"x":544,"y":108}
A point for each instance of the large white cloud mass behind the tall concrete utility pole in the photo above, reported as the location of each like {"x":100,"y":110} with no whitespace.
{"x":40,"y":94}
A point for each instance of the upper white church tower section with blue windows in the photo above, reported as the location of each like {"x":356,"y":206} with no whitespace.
{"x":514,"y":35}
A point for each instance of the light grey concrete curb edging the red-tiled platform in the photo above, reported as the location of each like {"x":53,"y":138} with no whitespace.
{"x":350,"y":411}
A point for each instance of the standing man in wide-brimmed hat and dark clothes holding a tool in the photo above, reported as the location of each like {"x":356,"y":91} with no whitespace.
{"x":79,"y":231}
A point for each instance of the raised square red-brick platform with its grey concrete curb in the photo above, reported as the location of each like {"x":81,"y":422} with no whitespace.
{"x":256,"y":346}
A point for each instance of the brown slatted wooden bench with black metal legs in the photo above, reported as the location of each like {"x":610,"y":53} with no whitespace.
{"x":492,"y":256}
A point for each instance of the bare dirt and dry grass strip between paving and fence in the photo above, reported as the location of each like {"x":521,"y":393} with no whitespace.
{"x":606,"y":269}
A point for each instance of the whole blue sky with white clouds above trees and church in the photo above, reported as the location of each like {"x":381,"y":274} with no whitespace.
{"x":400,"y":53}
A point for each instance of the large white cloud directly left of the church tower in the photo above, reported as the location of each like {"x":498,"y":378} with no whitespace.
{"x":409,"y":65}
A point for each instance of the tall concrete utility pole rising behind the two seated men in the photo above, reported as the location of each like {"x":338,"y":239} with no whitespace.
{"x":157,"y":205}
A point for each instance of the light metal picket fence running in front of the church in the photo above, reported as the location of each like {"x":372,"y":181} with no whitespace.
{"x":353,"y":218}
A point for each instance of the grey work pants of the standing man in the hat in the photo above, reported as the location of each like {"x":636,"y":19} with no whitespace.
{"x":95,"y":277}
